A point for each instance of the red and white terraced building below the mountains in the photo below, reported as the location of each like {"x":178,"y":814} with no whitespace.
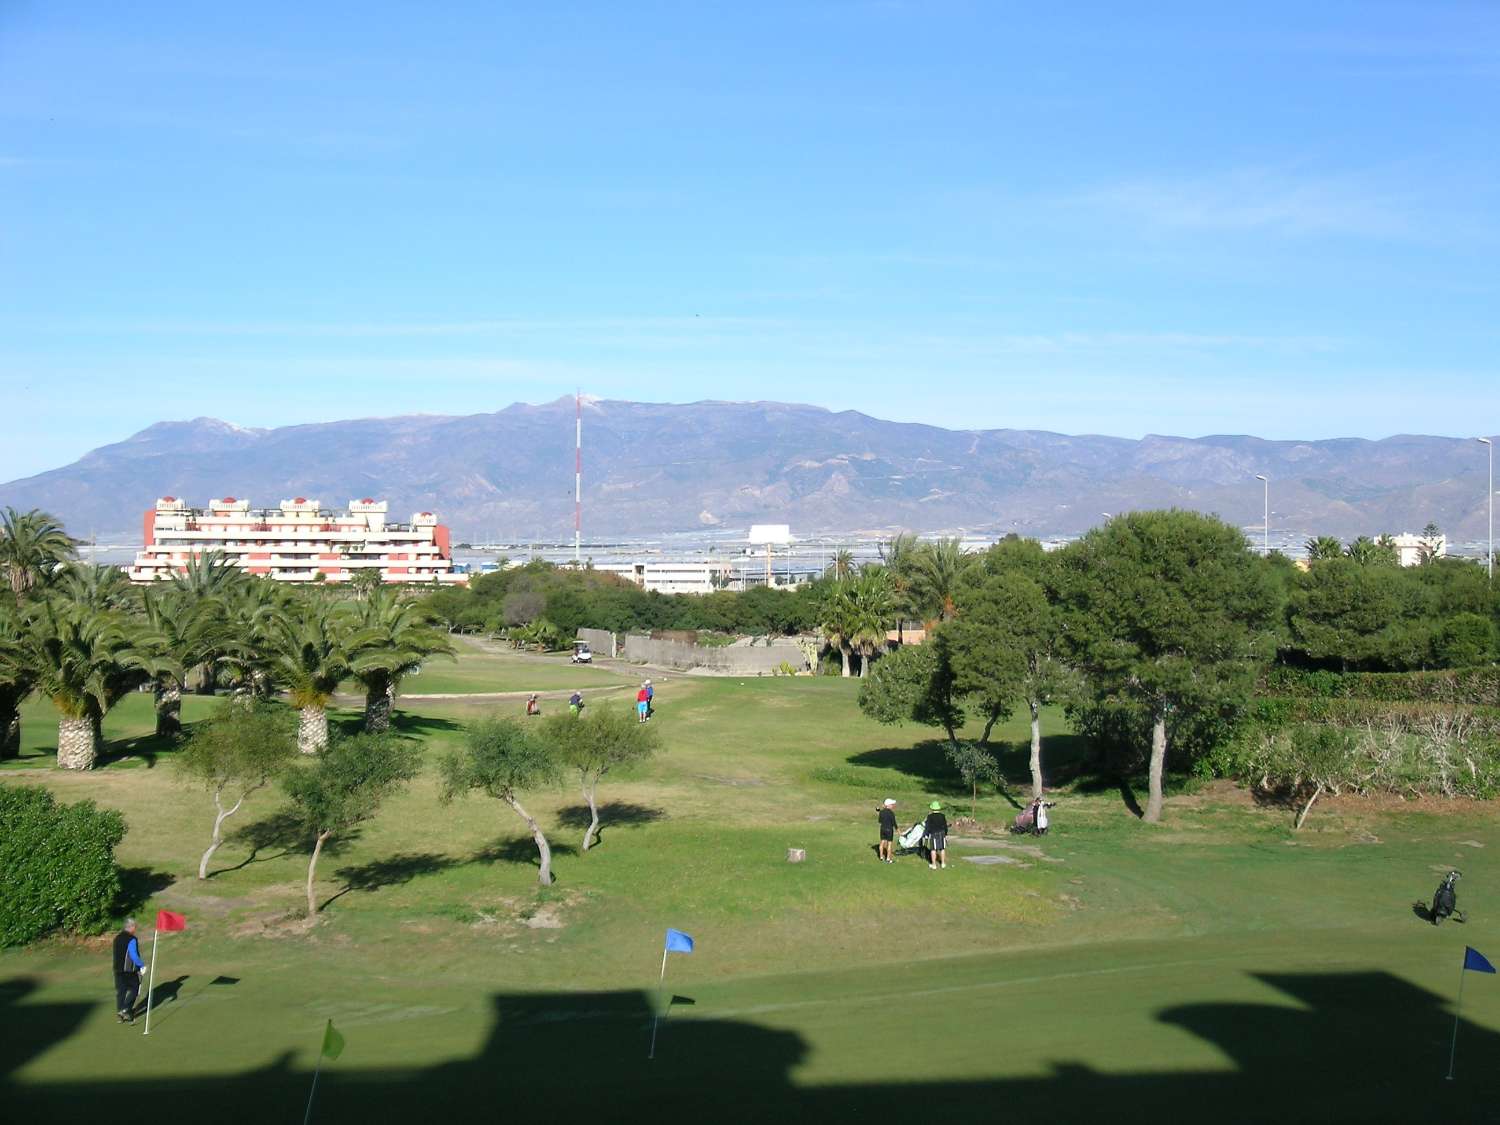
{"x":298,"y":542}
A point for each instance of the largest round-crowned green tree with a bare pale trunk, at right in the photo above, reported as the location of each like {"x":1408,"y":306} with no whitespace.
{"x":1171,"y":613}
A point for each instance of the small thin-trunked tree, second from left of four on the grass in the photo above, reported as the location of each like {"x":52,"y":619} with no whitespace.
{"x":344,"y":787}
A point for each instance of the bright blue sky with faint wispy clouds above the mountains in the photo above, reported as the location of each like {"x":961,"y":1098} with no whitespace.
{"x":1087,"y":218}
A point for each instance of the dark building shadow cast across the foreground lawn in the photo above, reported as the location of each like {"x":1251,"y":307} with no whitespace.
{"x":1363,"y":1046}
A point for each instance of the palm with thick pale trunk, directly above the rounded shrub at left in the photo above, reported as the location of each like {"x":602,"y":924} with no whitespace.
{"x":85,"y":661}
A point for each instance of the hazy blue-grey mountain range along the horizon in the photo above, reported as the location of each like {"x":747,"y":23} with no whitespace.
{"x":653,"y":469}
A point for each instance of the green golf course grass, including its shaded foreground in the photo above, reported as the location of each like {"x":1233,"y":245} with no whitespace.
{"x":1216,"y":968}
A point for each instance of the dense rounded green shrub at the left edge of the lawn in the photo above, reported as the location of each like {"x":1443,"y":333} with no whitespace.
{"x":59,"y":865}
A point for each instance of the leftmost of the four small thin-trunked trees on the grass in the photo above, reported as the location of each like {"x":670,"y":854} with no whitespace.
{"x":236,"y":754}
